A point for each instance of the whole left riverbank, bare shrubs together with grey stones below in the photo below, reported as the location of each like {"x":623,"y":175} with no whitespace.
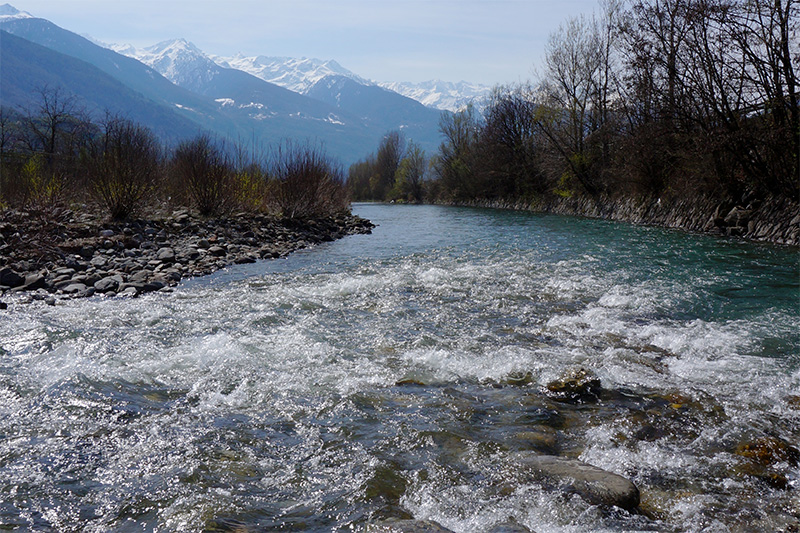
{"x":103,"y":208}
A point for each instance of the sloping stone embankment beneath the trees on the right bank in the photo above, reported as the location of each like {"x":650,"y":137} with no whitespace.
{"x":775,"y":220}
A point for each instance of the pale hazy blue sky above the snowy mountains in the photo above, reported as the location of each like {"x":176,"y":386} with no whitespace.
{"x":484,"y":41}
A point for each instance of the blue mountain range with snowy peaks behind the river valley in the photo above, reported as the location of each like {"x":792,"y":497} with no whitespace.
{"x":178,"y":90}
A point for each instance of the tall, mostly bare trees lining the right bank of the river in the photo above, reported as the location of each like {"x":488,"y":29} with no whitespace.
{"x":648,"y":97}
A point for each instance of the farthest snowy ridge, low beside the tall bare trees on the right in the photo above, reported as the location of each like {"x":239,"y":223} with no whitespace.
{"x":442,"y":94}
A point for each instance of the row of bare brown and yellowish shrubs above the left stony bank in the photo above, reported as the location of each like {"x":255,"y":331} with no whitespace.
{"x":55,"y":155}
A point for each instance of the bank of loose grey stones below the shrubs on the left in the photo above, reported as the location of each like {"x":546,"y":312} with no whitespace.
{"x":68,"y":255}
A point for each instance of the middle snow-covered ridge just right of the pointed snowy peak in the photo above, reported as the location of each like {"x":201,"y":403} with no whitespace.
{"x":295,"y":74}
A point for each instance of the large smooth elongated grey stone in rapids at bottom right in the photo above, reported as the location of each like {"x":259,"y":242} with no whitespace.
{"x":593,"y":484}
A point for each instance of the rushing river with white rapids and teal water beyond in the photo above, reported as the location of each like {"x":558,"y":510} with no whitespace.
{"x":395,"y":374}
